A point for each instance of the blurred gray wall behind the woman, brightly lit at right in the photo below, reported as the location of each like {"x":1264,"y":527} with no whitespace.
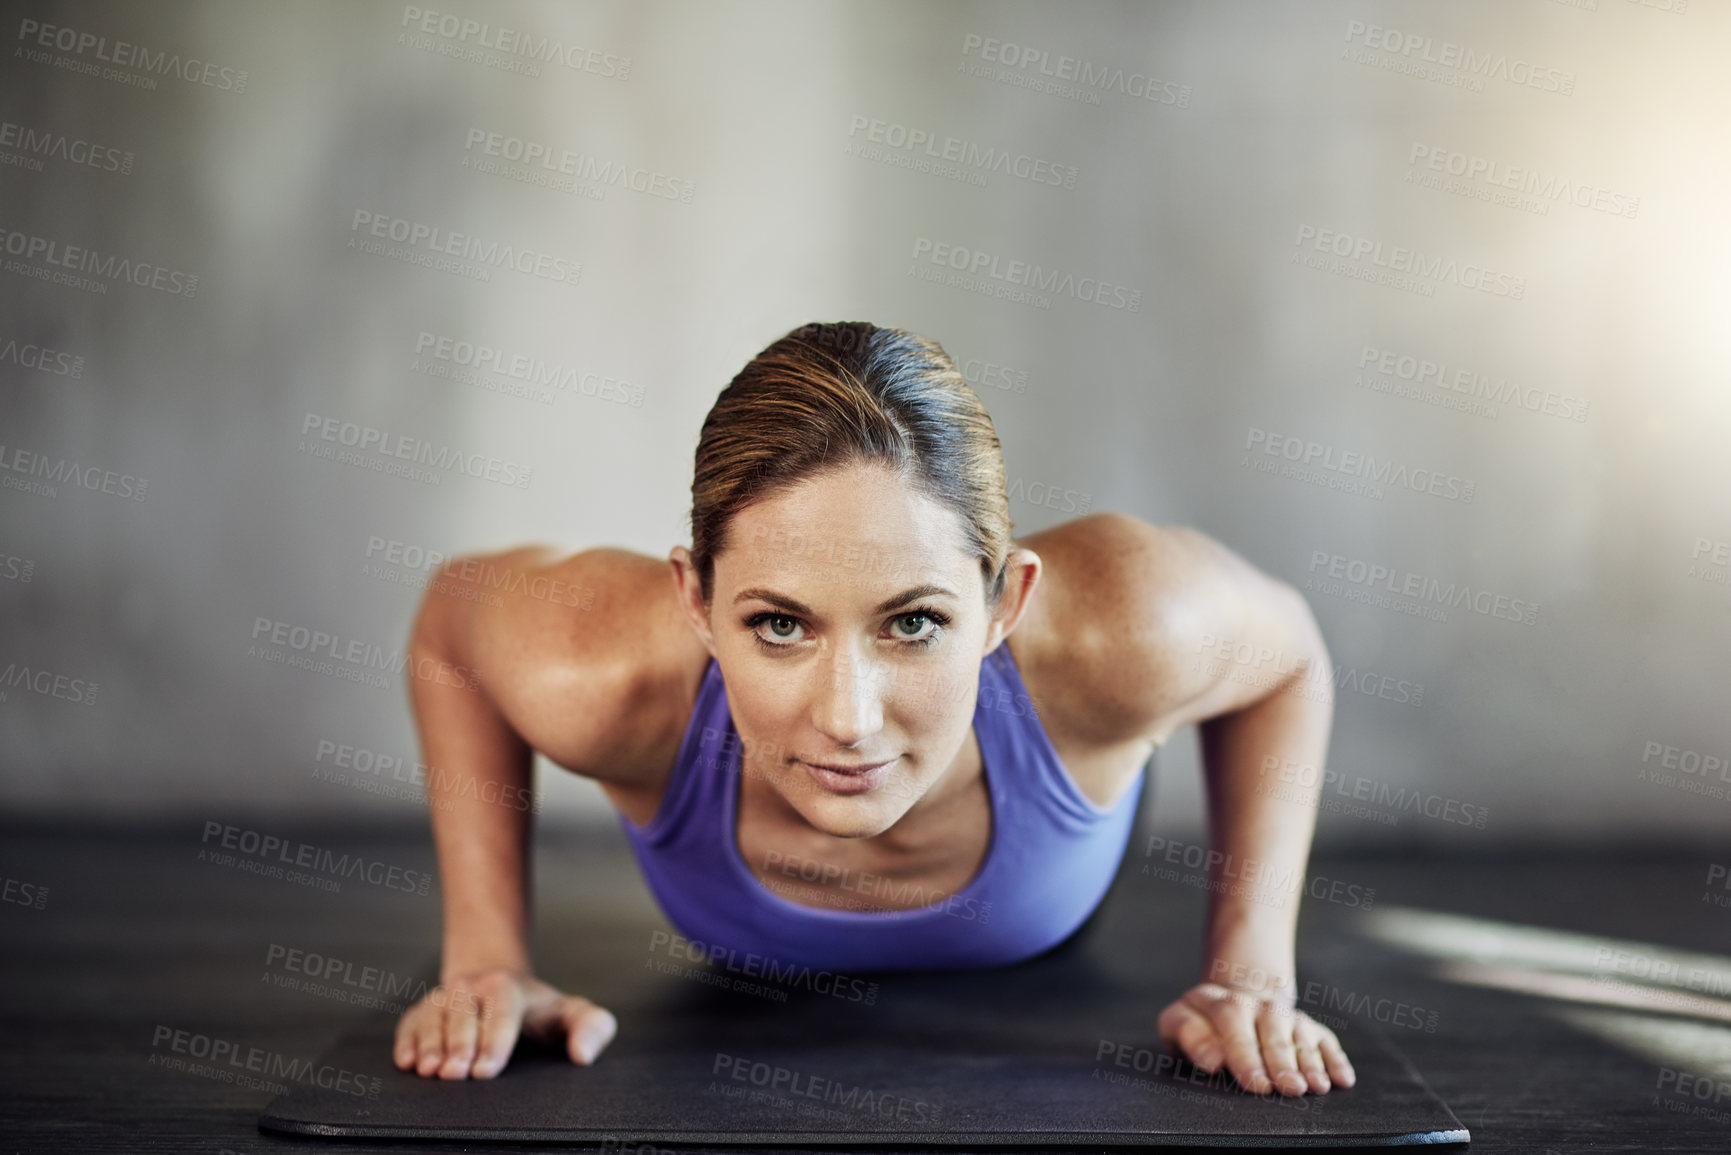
{"x":1465,"y":262}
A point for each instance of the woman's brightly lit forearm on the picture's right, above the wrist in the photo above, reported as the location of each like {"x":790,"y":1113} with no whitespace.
{"x":1261,"y":822}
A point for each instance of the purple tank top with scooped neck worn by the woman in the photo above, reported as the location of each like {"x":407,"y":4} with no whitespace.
{"x":1050,"y":861}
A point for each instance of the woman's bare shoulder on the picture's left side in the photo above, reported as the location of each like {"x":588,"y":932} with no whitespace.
{"x":586,"y":654}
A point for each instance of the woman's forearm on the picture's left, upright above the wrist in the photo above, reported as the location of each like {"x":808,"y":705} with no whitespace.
{"x":479,"y":792}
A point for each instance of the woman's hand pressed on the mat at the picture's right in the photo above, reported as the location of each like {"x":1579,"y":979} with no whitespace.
{"x":1256,"y":1038}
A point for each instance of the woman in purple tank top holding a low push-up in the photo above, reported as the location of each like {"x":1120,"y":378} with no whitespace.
{"x":856,"y":671}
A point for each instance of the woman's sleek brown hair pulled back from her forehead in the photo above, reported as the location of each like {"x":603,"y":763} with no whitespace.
{"x":830,"y":396}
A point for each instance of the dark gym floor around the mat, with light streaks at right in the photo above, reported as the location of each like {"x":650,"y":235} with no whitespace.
{"x":1540,"y":1043}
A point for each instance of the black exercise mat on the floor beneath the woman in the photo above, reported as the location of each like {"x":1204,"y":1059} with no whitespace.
{"x":1055,"y":1052}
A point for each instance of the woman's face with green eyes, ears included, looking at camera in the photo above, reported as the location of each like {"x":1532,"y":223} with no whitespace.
{"x":849,"y":623}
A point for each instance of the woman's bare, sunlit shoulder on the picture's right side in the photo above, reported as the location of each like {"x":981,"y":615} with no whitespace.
{"x":1114,"y":647}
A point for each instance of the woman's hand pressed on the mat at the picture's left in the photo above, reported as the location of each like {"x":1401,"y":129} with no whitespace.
{"x":468,"y":1026}
